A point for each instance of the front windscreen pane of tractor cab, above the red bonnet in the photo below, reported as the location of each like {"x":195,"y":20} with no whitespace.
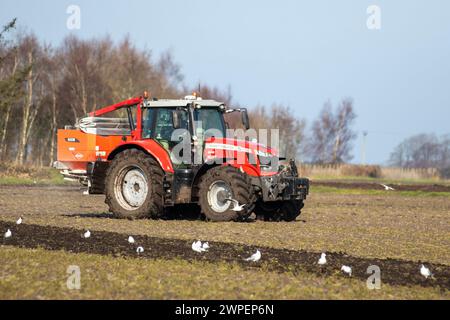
{"x":210,"y":122}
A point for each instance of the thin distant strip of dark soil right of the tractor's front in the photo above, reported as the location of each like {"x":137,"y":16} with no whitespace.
{"x":378,"y":186}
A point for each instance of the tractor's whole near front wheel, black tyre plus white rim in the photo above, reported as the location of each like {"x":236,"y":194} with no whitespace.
{"x":222,"y":189}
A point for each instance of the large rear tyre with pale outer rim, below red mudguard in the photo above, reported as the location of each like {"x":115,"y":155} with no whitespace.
{"x":152,"y":175}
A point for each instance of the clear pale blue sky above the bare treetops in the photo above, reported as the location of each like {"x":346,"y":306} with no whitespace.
{"x":300,"y":53}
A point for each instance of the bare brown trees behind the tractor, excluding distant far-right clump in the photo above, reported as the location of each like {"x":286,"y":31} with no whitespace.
{"x":43,"y":88}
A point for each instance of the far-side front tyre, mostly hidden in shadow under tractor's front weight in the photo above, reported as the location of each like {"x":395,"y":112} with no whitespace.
{"x":287,"y":210}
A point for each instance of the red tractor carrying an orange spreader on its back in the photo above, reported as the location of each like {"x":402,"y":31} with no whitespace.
{"x":159,"y":154}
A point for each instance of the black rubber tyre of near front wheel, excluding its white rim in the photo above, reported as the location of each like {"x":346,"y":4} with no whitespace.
{"x":239,"y":186}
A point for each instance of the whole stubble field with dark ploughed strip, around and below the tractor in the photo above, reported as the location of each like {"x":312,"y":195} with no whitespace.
{"x":394,"y":230}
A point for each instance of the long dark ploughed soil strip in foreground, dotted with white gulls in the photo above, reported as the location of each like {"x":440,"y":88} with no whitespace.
{"x":394,"y":272}
